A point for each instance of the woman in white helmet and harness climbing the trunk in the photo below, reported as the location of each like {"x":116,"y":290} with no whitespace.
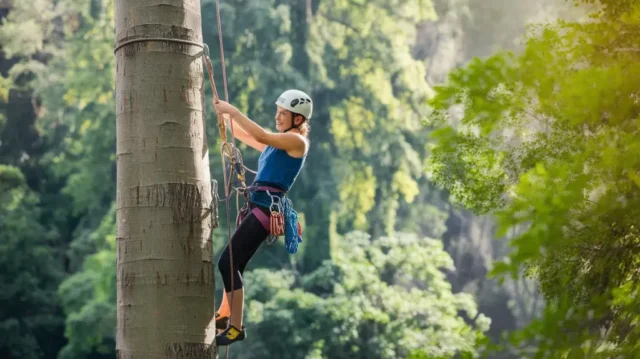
{"x":283,"y":156}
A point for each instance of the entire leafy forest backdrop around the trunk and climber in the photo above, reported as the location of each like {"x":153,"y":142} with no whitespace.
{"x":471,"y":181}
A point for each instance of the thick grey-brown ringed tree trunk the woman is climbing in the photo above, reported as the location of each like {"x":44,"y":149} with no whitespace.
{"x":165,"y":278}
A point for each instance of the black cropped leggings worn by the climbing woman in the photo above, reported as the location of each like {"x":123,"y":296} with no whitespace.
{"x":245,"y":241}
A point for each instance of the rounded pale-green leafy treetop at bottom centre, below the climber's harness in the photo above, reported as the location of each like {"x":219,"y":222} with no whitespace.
{"x":358,"y":304}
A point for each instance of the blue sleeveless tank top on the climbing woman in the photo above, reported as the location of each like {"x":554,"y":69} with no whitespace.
{"x":277,"y":168}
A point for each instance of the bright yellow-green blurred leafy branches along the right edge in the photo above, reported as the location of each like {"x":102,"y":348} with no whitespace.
{"x":548,"y":140}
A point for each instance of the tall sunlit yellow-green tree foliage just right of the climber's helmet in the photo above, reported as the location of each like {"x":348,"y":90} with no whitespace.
{"x":375,"y":121}
